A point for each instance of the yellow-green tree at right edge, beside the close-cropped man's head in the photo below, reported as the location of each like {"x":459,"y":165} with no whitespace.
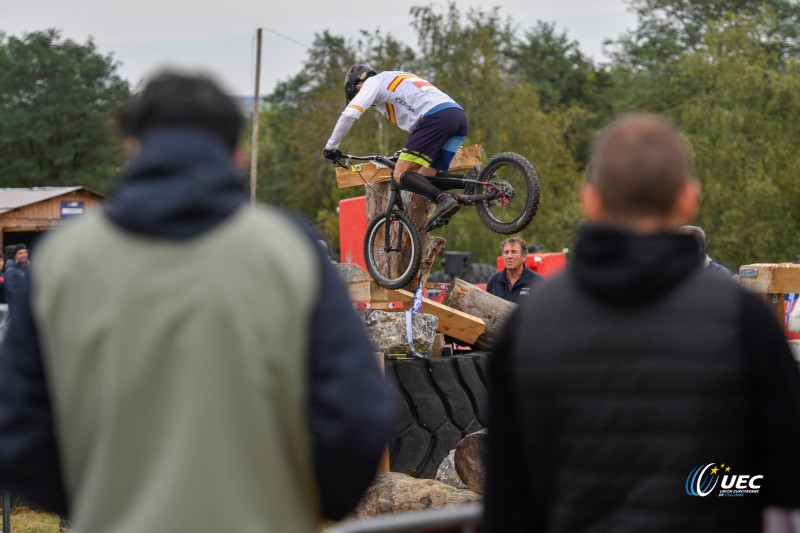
{"x":737,"y":101}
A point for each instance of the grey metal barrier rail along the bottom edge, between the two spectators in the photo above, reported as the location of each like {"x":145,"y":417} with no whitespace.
{"x":458,"y":519}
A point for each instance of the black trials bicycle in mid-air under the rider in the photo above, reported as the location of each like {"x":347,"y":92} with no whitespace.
{"x":505,"y":191}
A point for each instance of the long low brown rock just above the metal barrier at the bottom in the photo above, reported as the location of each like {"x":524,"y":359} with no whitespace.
{"x":393,"y":492}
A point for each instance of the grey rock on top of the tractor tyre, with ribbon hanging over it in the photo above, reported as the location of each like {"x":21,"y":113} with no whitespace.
{"x":387,"y":331}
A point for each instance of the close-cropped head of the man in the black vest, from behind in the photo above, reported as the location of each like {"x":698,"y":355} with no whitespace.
{"x":639,"y":165}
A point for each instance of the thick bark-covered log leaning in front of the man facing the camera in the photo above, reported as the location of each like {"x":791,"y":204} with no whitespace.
{"x":474,"y":301}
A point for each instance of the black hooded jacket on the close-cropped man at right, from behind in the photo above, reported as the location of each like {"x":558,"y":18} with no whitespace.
{"x":624,"y":374}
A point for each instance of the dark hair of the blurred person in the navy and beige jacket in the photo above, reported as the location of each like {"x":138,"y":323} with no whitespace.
{"x":172,"y":99}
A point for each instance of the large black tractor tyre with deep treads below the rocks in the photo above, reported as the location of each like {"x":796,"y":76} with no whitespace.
{"x":439,"y":401}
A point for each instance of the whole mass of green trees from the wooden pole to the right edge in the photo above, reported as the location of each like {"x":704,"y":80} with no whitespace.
{"x":725,"y":71}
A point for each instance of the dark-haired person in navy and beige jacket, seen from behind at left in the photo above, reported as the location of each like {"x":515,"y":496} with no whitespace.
{"x":188,"y":401}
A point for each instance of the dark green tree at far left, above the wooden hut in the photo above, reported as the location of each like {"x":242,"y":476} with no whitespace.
{"x":56,"y":102}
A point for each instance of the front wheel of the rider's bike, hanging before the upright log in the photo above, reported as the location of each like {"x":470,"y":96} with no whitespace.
{"x":392,"y":265}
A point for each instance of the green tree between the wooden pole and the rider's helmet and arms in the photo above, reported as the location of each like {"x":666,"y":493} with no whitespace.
{"x":299,"y":116}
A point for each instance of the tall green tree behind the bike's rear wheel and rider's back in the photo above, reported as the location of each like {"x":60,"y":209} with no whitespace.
{"x":471,"y":57}
